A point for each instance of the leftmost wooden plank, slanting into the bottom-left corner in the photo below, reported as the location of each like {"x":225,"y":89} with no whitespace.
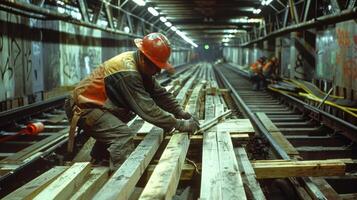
{"x":34,"y":187}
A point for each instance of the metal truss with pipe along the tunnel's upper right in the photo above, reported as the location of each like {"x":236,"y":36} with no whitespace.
{"x":299,"y":15}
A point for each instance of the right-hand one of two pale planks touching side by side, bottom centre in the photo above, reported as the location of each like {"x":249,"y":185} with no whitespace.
{"x":231,"y":183}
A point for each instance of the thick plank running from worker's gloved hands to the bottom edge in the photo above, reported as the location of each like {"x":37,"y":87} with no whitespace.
{"x":164,"y":180}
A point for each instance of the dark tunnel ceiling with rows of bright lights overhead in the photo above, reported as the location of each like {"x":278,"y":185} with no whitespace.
{"x":201,"y":20}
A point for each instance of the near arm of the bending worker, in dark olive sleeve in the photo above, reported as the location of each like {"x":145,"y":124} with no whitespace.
{"x":126,"y":89}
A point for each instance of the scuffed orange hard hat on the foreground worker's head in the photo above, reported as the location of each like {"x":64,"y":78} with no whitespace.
{"x":156,"y":47}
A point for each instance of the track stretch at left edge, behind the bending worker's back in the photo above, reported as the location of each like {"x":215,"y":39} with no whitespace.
{"x":23,"y":152}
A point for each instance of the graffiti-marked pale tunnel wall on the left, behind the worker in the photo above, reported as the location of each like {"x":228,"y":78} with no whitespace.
{"x":38,"y":56}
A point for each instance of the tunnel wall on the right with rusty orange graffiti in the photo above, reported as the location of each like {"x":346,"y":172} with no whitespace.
{"x":334,"y":62}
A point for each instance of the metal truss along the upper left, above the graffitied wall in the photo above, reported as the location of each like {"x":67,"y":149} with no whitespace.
{"x":113,"y":13}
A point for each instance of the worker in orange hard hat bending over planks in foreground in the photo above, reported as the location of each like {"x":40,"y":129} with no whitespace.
{"x":121,"y":88}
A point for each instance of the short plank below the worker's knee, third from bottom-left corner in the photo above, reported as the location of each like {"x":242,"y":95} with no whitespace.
{"x":97,"y":177}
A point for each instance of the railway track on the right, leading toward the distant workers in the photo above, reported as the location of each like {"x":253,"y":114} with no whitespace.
{"x":305,"y":137}
